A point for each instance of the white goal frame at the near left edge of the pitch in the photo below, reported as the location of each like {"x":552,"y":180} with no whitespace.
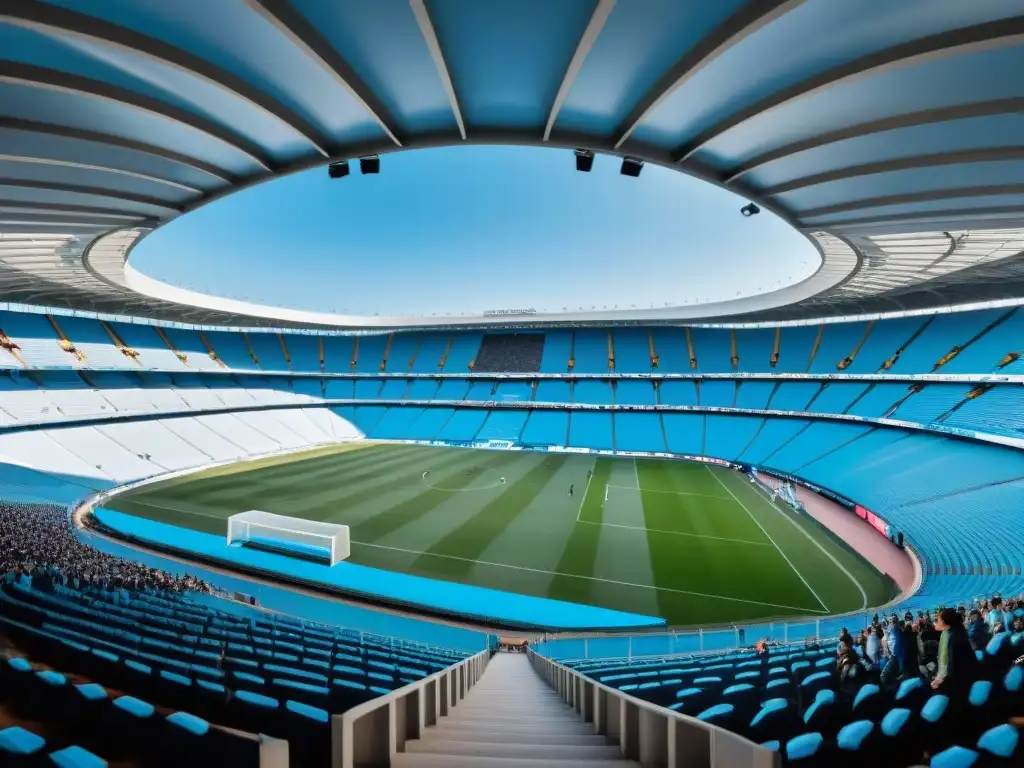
{"x":291,"y":536}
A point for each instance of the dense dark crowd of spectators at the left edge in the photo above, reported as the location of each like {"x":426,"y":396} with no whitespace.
{"x":37,"y":540}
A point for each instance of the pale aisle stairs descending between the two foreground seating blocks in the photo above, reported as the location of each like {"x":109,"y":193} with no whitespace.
{"x":511,"y":719}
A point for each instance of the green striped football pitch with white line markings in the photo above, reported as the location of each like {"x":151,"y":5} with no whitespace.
{"x":693,"y":543}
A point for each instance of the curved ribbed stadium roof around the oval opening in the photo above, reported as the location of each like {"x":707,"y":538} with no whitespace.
{"x":858,"y":122}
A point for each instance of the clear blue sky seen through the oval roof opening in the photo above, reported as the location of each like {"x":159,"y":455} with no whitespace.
{"x":471,"y":229}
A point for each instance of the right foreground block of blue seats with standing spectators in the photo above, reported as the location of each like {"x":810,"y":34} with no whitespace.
{"x":828,"y":704}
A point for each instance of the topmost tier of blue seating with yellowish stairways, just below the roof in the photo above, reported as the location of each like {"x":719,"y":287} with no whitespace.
{"x":982,"y":342}
